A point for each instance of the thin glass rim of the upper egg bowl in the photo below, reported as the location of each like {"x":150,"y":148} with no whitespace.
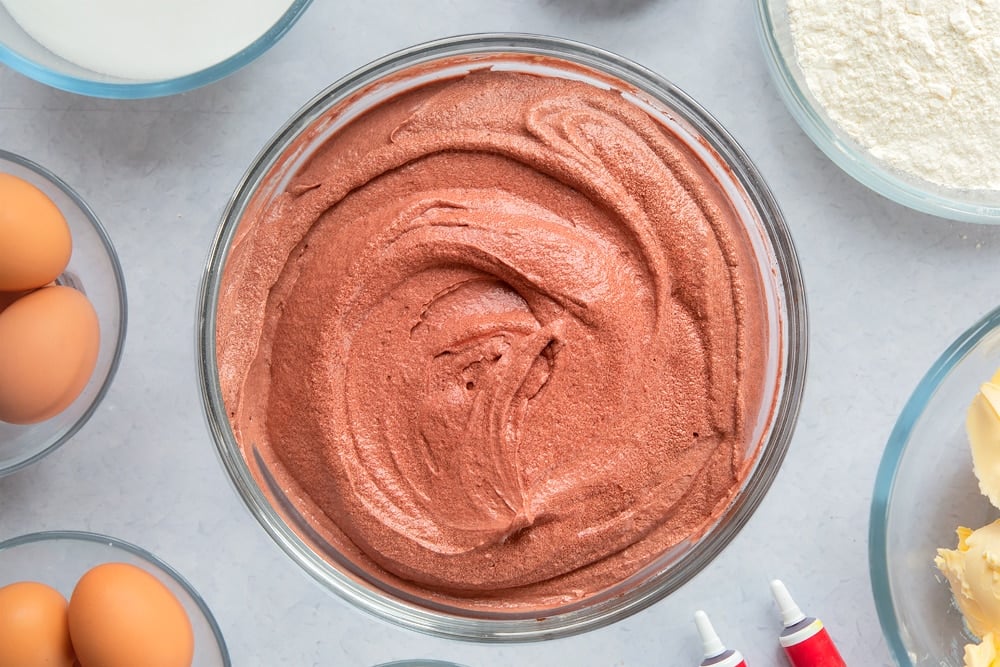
{"x":119,"y":277}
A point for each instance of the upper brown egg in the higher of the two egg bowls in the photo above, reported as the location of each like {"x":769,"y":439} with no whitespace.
{"x":35,"y":242}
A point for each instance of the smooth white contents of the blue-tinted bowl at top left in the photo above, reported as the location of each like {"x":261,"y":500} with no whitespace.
{"x":145,"y":39}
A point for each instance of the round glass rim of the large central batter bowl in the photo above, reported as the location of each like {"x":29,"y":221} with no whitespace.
{"x":793,"y":353}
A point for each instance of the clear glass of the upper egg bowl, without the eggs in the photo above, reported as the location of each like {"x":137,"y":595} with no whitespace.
{"x":93,"y":269}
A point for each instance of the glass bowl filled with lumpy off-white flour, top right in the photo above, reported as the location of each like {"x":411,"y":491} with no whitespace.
{"x":903,"y":95}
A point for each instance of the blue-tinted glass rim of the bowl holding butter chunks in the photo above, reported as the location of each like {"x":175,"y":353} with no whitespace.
{"x":895,"y":448}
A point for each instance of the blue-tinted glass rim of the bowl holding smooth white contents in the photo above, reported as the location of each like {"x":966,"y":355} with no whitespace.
{"x":125,"y":90}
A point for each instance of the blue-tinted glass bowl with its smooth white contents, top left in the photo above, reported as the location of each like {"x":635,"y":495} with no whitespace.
{"x":109,"y":48}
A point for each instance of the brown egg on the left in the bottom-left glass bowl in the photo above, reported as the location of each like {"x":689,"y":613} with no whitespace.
{"x":33,"y":627}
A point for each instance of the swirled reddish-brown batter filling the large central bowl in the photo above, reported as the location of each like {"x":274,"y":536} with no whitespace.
{"x":501,"y":340}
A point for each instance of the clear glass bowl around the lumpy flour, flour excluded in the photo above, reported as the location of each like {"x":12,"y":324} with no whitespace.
{"x":779,"y":51}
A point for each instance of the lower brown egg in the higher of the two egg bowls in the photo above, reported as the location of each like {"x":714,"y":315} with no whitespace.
{"x":49,"y":341}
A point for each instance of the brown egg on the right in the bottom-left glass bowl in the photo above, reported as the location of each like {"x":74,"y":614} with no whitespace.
{"x":122,"y":616}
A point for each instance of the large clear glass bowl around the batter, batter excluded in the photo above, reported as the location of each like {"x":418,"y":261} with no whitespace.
{"x":767,"y":235}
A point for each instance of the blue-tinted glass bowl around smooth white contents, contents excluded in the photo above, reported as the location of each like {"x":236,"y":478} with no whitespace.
{"x":20,"y":51}
